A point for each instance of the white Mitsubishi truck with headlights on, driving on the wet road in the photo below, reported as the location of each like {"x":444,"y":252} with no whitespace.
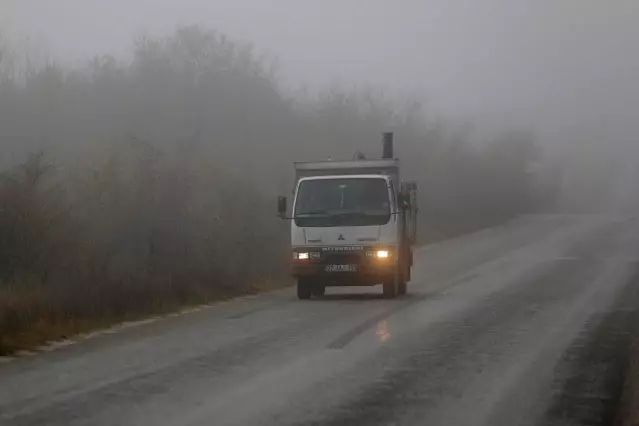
{"x":353,"y":223}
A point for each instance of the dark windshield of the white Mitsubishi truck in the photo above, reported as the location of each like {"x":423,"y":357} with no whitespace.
{"x":342,"y":202}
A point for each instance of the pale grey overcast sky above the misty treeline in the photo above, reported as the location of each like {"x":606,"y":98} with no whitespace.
{"x":568,"y":67}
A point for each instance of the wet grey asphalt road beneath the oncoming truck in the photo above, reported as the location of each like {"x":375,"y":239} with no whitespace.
{"x":526,"y":324}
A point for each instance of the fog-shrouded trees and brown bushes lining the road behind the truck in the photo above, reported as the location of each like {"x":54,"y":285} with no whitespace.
{"x":140,"y":186}
